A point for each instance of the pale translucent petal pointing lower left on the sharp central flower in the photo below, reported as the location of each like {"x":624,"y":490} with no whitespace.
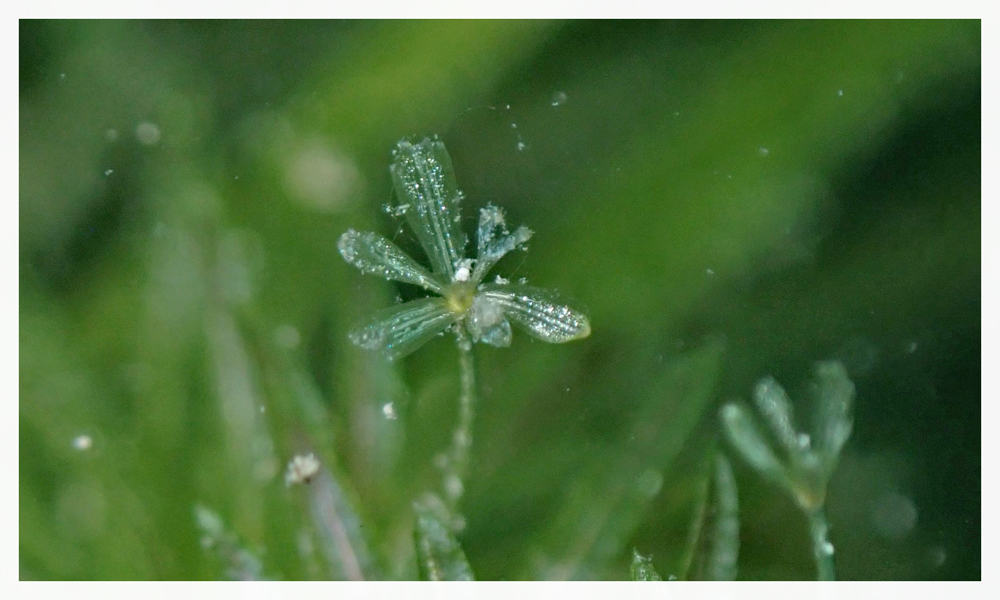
{"x":398,"y":330}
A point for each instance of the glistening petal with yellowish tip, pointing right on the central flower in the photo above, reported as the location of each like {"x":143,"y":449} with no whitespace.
{"x":539,"y":311}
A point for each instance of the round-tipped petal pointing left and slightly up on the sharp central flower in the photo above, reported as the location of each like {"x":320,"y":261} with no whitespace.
{"x":375,"y":255}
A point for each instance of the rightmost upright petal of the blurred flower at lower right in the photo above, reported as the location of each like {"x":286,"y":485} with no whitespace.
{"x":834,"y":394}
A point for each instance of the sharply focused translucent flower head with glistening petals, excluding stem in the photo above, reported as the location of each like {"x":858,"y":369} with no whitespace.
{"x":424,"y":179}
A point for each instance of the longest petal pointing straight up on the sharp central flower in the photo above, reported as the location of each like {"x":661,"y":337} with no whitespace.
{"x":424,"y":178}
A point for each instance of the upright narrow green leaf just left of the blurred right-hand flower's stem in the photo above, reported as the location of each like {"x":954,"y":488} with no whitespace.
{"x":725,"y":524}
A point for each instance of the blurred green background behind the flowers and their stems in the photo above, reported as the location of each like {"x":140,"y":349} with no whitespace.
{"x":727,"y":200}
